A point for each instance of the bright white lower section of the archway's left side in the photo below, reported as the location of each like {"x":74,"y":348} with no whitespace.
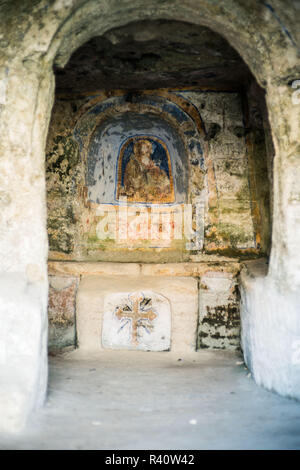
{"x":23,"y":366}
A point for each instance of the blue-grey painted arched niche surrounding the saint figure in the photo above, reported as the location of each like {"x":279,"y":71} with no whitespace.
{"x":107,"y":149}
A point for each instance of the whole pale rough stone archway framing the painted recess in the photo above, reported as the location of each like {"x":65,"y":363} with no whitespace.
{"x":47,"y":34}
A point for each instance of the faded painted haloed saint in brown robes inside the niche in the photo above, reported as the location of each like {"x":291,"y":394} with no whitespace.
{"x":144,"y":180}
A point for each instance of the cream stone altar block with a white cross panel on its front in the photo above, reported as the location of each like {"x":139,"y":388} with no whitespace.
{"x":141,"y":313}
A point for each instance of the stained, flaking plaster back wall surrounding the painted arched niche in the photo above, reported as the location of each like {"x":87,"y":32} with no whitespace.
{"x":231,"y":223}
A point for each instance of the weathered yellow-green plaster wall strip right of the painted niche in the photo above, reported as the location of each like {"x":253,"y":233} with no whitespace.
{"x":232,"y":227}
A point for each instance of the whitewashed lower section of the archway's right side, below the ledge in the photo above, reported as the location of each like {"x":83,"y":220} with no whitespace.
{"x":270,"y":345}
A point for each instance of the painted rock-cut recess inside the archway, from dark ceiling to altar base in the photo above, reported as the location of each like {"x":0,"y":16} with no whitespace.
{"x":158,"y":190}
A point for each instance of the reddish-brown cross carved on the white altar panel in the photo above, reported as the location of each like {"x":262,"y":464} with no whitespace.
{"x":137,"y":314}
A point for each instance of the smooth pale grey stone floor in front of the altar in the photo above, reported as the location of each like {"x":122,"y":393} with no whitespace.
{"x":140,"y":400}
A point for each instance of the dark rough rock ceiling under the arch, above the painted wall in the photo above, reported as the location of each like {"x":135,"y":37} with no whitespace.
{"x":153,"y":54}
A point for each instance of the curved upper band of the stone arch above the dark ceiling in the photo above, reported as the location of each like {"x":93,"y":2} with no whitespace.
{"x":88,"y":19}
